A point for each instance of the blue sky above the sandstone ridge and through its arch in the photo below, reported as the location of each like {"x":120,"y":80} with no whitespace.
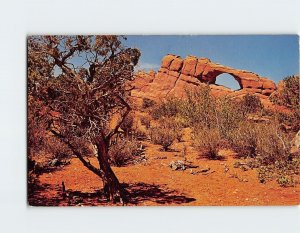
{"x":271,"y":56}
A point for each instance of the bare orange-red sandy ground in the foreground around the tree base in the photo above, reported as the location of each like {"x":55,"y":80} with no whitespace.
{"x":153,"y":182}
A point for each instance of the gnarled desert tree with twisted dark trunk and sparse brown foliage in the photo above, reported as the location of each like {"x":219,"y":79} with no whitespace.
{"x":76,"y":85}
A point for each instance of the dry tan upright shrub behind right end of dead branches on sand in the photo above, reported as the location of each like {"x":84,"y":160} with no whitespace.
{"x":208,"y":142}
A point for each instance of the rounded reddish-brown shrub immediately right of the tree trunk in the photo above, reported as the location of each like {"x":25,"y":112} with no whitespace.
{"x":124,"y":152}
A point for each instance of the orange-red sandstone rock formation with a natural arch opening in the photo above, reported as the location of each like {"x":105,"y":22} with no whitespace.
{"x":176,"y":75}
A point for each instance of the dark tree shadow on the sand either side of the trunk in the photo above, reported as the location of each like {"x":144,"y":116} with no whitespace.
{"x":46,"y":195}
